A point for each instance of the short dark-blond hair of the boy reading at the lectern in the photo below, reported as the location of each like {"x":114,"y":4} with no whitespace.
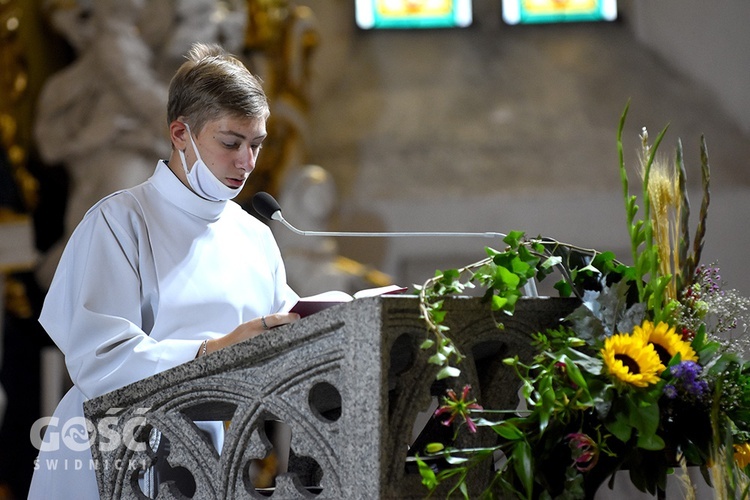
{"x":213,"y":83}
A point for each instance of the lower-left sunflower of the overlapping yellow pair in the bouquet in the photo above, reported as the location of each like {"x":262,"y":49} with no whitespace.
{"x":631,"y":360}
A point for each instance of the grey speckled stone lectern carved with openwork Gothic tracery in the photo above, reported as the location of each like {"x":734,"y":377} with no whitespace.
{"x":350,"y":382}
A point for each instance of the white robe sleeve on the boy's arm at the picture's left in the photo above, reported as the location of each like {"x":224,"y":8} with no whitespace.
{"x":93,"y":311}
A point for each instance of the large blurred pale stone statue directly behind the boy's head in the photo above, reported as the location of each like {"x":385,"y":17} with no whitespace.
{"x":104,"y":116}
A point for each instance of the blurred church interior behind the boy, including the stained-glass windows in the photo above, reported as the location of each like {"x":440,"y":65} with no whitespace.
{"x":405,"y":115}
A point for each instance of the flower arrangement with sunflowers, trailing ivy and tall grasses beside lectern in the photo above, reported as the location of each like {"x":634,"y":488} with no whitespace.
{"x":643,"y":377}
